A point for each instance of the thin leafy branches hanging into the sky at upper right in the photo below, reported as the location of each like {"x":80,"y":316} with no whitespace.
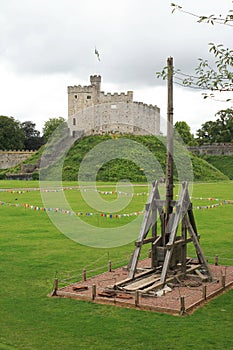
{"x":217,"y":78}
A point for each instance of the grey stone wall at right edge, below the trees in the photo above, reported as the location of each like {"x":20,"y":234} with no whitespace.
{"x":215,"y":149}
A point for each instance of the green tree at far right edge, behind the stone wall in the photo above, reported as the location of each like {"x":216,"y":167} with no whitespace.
{"x":217,"y":131}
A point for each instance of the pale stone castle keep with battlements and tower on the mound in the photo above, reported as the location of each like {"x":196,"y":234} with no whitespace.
{"x":91,"y":111}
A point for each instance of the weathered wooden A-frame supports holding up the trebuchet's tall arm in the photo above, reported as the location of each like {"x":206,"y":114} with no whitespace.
{"x":176,"y":247}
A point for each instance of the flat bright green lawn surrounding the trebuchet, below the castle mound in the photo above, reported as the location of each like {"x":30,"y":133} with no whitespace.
{"x":33,"y":251}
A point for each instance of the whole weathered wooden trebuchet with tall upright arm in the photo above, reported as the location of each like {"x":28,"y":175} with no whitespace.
{"x":168,"y":248}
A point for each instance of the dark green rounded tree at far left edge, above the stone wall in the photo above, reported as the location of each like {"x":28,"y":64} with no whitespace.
{"x":11,"y":134}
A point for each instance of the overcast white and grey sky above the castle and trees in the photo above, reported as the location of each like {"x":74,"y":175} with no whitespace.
{"x":46,"y":45}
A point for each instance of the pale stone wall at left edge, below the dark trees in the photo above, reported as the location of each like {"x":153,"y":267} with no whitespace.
{"x":9,"y":159}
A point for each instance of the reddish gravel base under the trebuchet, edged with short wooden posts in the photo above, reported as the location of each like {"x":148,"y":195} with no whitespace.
{"x":184,"y":297}
